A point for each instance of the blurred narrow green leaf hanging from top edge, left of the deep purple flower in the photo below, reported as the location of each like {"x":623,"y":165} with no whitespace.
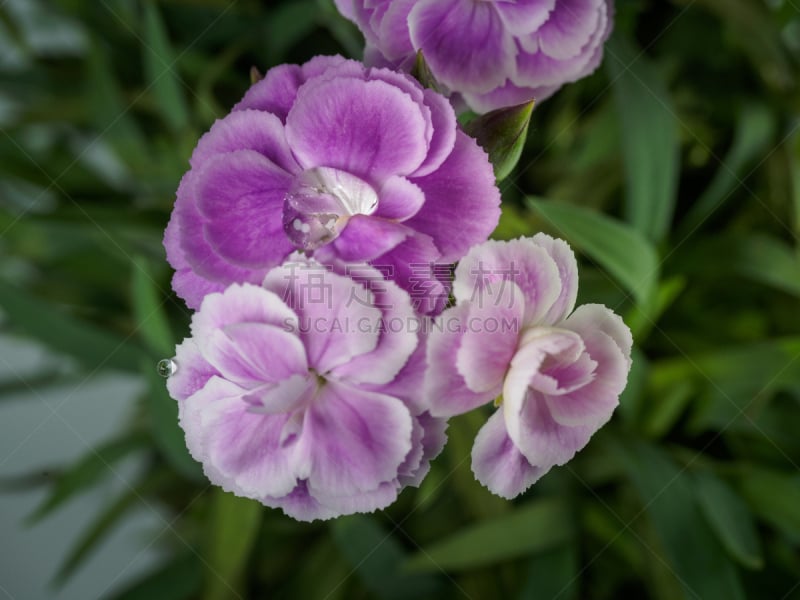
{"x":161,"y":71}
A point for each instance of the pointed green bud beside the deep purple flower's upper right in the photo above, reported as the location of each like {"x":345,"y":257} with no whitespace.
{"x":502,"y":133}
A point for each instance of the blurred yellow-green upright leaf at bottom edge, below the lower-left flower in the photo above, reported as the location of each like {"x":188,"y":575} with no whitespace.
{"x":234,"y":527}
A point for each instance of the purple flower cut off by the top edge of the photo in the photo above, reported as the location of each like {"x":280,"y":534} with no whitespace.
{"x":494,"y":53}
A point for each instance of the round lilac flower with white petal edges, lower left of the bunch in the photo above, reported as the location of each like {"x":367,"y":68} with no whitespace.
{"x":304,"y":394}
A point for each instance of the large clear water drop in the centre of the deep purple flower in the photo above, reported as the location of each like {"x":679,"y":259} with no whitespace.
{"x":320,"y":202}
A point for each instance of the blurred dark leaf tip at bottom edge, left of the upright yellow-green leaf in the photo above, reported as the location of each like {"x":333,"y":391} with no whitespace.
{"x":180,"y":579}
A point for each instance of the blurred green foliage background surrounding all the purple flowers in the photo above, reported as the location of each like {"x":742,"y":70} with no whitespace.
{"x":674,"y":171}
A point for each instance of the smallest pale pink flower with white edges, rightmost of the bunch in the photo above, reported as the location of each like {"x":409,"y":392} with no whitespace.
{"x":514,"y":338}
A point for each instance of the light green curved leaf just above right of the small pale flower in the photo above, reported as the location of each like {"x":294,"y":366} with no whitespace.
{"x":620,"y":250}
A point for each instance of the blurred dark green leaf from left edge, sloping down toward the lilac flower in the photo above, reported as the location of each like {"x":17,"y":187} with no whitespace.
{"x":94,"y":348}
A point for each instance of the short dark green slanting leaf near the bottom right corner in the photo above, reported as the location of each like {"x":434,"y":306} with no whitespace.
{"x":730,"y":519}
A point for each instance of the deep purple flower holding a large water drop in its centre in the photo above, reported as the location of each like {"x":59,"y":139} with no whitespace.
{"x":350,"y":164}
